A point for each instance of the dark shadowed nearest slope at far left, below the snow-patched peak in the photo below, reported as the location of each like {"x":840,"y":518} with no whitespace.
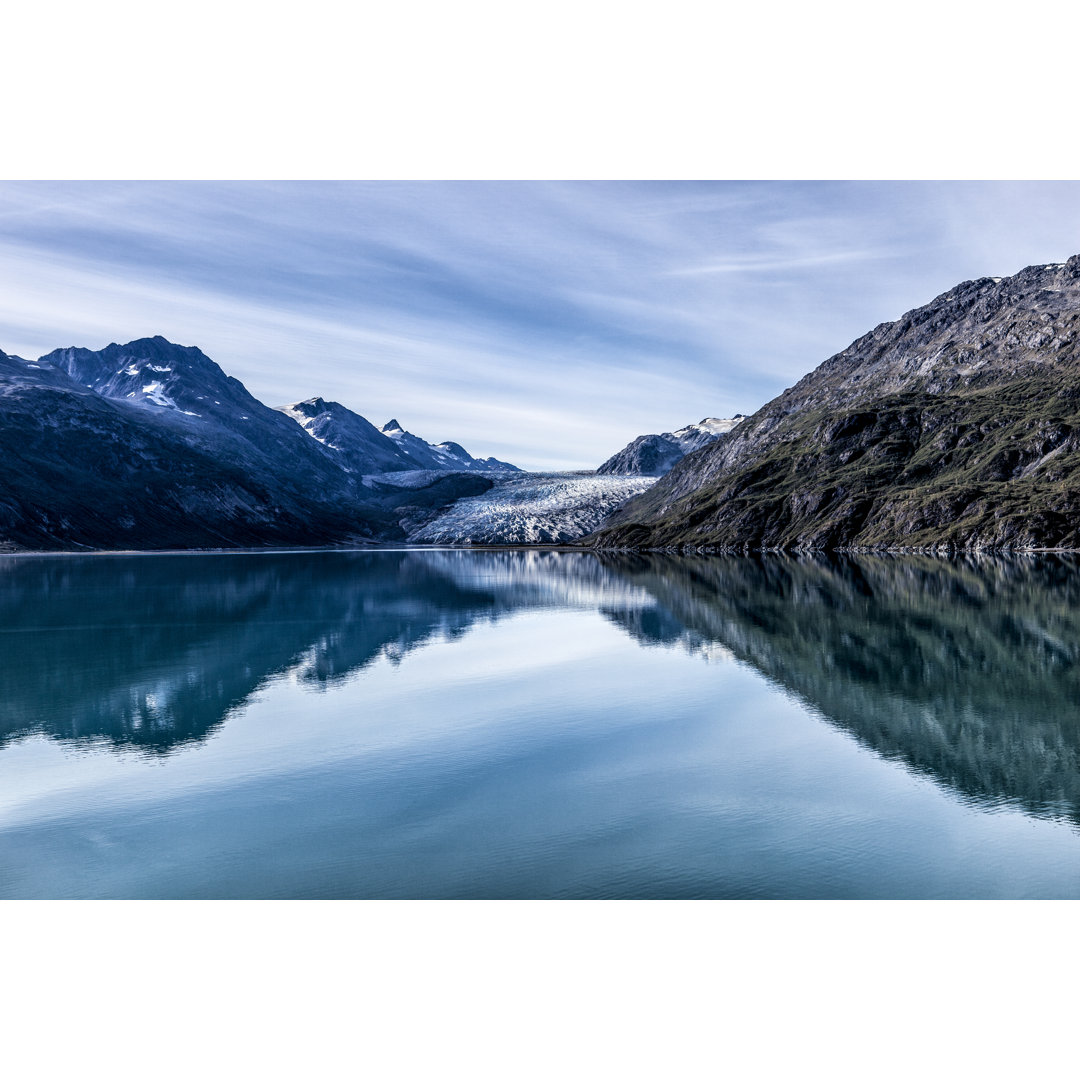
{"x":78,"y":470}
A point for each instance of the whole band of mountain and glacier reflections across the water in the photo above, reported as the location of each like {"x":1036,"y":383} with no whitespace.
{"x":964,"y":671}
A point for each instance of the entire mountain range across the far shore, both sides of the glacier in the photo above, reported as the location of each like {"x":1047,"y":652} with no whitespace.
{"x":955,"y":428}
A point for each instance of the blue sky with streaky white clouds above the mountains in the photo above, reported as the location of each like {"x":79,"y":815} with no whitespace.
{"x":545,"y":323}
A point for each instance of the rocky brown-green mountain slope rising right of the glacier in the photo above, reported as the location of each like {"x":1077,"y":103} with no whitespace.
{"x":957,"y":427}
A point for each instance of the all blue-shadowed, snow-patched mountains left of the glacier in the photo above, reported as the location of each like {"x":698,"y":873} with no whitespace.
{"x":152,"y":445}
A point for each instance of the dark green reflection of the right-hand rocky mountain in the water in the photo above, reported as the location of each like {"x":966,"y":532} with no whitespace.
{"x":966,"y":671}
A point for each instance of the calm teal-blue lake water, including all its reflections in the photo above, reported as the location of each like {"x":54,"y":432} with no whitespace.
{"x":456,"y":724}
